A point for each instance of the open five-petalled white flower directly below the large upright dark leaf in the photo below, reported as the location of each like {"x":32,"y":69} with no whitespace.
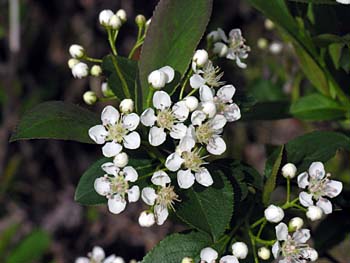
{"x":166,"y":118}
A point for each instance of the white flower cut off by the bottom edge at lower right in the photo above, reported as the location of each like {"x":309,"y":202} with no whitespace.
{"x":292,"y":248}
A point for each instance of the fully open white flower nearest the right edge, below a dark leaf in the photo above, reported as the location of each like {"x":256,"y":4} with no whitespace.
{"x":319,"y":186}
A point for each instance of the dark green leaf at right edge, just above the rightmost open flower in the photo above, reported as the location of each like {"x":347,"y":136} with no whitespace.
{"x":315,"y":146}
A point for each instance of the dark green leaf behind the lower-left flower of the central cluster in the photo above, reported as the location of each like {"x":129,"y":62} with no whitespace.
{"x":85,"y":193}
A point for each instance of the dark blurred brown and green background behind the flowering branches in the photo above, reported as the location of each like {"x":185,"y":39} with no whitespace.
{"x":39,"y":220}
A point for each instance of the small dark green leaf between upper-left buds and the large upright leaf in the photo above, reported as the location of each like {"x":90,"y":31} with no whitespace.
{"x":121,"y":76}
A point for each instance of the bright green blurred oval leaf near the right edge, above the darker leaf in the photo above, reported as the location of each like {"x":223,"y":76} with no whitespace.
{"x":317,"y":107}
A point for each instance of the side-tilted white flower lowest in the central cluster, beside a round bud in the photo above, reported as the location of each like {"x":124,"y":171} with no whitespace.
{"x":161,"y":199}
